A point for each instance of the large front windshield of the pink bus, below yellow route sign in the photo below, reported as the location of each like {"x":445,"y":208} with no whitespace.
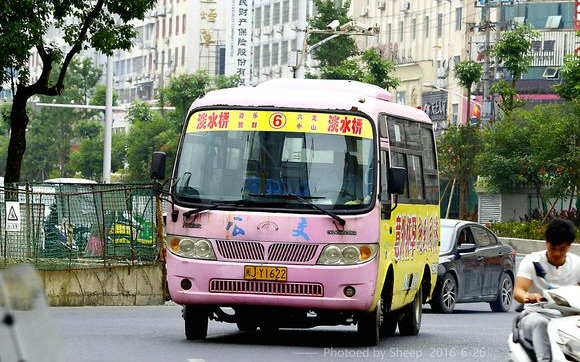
{"x":332,"y":171}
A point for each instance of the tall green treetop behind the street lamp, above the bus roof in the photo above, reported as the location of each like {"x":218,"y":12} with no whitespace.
{"x":334,"y":52}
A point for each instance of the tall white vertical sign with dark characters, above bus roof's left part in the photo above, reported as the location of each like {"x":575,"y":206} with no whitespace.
{"x":239,"y":35}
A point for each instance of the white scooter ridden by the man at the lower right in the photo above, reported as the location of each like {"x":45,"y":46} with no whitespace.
{"x":562,"y":306}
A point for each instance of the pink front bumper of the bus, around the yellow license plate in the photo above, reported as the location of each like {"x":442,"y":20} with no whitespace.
{"x":307,"y":286}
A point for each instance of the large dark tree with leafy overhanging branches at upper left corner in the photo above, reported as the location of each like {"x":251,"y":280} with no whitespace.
{"x":102,"y":25}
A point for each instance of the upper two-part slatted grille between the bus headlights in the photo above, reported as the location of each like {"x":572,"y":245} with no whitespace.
{"x":276,"y":252}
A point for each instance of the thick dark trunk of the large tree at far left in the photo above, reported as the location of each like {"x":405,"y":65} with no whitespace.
{"x":17,"y":145}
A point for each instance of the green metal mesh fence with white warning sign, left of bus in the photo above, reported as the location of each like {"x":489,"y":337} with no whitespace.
{"x":71,"y":226}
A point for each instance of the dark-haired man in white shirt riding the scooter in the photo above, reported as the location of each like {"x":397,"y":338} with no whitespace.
{"x":561,"y":269}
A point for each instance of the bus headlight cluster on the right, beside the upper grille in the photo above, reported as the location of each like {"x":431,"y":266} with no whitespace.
{"x":347,"y":254}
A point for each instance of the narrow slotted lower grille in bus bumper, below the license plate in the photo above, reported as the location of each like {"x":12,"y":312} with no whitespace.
{"x":265,"y":287}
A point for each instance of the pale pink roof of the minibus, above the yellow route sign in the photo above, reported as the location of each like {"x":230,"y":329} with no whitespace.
{"x":327,"y":94}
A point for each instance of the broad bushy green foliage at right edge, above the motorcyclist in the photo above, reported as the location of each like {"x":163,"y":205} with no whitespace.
{"x":537,"y":147}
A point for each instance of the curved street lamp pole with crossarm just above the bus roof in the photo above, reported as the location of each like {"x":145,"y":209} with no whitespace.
{"x":334,"y":29}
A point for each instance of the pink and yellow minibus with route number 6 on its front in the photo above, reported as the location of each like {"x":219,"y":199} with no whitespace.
{"x":299,"y":203}
